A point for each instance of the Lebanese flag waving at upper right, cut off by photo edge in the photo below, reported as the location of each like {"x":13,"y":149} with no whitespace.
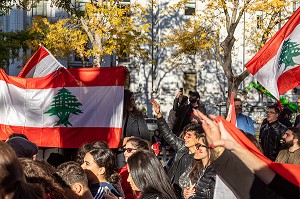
{"x":276,"y":65}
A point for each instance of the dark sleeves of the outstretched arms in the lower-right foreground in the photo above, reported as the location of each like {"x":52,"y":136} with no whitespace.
{"x":246,"y":185}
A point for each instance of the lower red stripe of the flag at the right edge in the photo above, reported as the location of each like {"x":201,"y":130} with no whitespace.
{"x":288,"y":80}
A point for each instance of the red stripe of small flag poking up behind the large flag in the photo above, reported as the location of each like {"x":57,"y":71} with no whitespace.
{"x":40,"y":54}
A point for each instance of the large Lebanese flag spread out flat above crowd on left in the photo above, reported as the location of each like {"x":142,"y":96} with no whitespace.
{"x":66,"y":108}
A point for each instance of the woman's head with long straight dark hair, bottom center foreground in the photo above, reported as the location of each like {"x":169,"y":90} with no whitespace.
{"x":146,"y":174}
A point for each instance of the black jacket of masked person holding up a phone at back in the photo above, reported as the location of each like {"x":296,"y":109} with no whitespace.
{"x":182,"y":116}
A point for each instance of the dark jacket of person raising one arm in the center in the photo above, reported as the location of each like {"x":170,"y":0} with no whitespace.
{"x":175,"y":142}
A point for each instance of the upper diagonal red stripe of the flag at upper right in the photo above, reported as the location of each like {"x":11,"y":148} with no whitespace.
{"x":270,"y":49}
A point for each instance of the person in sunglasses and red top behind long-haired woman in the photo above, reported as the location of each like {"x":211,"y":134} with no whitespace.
{"x":132,"y":145}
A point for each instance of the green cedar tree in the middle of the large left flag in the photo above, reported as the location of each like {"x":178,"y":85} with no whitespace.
{"x":64,"y":104}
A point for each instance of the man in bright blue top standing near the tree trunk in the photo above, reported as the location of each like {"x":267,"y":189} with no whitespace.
{"x":244,"y":122}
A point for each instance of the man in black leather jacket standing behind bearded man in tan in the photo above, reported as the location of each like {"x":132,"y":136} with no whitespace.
{"x":271,"y":134}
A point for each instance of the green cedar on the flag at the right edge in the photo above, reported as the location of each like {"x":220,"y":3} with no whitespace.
{"x":288,"y":52}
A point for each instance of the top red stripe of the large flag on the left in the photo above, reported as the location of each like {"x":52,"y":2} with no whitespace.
{"x":82,"y":77}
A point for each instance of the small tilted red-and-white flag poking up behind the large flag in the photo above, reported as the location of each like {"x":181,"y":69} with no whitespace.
{"x":40,"y":64}
